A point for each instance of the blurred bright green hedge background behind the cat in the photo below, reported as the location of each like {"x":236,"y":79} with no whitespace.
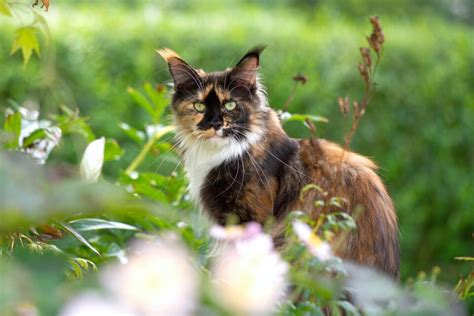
{"x":419,"y":127}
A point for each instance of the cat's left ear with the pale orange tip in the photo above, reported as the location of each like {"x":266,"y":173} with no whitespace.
{"x":183,"y":74}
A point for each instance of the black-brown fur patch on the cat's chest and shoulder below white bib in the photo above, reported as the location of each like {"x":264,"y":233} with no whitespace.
{"x":222,"y":192}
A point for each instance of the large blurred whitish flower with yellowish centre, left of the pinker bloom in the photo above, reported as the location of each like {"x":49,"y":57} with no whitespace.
{"x":159,"y":279}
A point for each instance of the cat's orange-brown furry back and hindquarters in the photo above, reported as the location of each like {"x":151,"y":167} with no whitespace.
{"x":353,"y":177}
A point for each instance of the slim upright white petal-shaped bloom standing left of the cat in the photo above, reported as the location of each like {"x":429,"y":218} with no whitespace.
{"x":91,"y":164}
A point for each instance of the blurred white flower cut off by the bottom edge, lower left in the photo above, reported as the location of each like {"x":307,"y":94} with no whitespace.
{"x":92,"y":304}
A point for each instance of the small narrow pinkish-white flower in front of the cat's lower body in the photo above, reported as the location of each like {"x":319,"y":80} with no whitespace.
{"x":318,"y":248}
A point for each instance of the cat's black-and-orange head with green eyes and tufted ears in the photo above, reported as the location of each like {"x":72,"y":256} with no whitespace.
{"x":221,"y":108}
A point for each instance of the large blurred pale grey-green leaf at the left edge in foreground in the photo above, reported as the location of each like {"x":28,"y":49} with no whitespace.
{"x":29,"y":195}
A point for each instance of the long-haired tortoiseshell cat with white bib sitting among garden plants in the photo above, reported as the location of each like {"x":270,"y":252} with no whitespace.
{"x":240,"y":162}
